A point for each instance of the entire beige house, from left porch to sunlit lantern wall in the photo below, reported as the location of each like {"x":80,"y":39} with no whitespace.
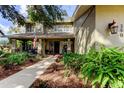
{"x":90,"y":26}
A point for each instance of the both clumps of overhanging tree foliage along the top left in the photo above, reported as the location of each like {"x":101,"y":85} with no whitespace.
{"x":46,"y":14}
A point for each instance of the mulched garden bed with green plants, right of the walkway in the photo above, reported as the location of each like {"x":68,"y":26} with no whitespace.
{"x":98,"y":69}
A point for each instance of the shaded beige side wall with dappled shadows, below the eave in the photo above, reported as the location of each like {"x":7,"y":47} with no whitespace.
{"x":84,"y":33}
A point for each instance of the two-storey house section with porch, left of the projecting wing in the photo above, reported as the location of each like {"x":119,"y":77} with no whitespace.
{"x":56,"y":40}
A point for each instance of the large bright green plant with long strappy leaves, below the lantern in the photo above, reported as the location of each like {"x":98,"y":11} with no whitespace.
{"x":105,"y":68}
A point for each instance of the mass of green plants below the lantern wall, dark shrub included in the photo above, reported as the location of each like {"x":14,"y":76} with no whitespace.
{"x":103,"y":68}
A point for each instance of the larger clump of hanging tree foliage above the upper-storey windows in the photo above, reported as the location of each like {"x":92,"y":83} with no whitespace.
{"x":46,"y":14}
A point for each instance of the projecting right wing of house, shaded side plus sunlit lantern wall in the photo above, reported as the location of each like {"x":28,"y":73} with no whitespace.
{"x":91,"y":26}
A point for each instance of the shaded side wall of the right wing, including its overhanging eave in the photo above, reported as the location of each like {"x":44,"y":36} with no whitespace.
{"x":84,"y":26}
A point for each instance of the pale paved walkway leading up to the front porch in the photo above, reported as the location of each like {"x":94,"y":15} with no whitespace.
{"x":25,"y":78}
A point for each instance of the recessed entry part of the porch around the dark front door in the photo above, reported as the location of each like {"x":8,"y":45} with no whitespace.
{"x":59,"y":46}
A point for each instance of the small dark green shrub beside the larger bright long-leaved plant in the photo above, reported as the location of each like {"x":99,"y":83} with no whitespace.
{"x":73,"y":61}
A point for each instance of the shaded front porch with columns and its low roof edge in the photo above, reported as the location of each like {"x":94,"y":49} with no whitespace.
{"x":45,"y":44}
